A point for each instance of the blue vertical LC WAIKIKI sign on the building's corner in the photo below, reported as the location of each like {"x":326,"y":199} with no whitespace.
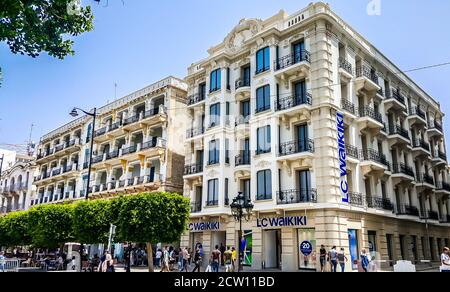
{"x":342,"y":157}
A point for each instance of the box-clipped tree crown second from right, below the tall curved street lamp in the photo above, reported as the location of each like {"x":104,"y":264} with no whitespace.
{"x":91,"y":221}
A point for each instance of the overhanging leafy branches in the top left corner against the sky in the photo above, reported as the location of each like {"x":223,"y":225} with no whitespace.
{"x":30,"y":27}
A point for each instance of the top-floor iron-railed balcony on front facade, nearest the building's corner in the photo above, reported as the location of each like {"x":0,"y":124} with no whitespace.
{"x":297,"y":64}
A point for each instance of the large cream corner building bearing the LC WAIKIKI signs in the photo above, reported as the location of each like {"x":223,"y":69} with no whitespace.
{"x":328,"y":139}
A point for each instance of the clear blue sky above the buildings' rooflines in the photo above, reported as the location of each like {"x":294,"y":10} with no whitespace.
{"x":142,"y":41}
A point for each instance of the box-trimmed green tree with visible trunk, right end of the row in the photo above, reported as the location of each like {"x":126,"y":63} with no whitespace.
{"x":152,"y":218}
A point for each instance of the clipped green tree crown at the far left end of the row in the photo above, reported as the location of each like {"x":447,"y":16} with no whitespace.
{"x":14,"y":229}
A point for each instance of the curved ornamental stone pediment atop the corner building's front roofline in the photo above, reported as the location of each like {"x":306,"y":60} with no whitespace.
{"x":245,"y":30}
